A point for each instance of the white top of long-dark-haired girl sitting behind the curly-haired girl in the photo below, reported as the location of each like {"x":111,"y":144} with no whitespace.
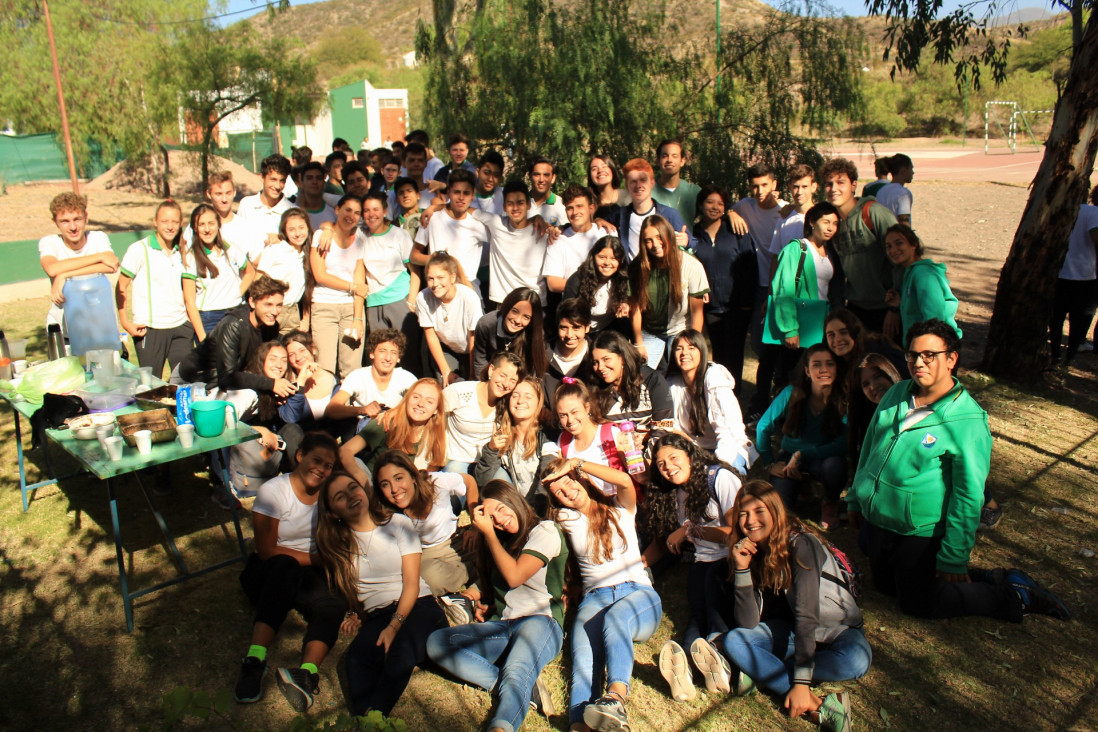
{"x":724,"y":433}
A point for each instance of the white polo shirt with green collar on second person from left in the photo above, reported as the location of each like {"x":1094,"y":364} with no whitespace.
{"x":156,"y":296}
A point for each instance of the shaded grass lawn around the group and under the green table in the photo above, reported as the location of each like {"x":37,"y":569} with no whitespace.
{"x":69,"y":662}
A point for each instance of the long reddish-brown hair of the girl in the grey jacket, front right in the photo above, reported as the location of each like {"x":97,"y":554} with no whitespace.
{"x":771,"y":567}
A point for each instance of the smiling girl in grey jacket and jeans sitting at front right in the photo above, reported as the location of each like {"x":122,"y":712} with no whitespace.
{"x":797,"y":623}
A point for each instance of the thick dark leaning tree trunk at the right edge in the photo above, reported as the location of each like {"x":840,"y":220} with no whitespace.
{"x":1019,"y":330}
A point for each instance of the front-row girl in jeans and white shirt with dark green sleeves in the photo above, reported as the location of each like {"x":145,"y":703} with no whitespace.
{"x":523,"y":561}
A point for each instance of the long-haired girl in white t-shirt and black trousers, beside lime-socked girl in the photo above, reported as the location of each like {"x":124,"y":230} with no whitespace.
{"x":374,"y":559}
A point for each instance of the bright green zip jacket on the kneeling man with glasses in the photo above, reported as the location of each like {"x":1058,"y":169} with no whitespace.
{"x":928,"y":480}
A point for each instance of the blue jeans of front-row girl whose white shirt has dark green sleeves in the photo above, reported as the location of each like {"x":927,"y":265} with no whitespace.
{"x":474,"y":652}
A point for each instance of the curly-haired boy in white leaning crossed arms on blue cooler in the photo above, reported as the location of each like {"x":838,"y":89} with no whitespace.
{"x":74,"y":252}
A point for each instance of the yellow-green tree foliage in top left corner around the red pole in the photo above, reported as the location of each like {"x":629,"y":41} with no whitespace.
{"x":105,"y":51}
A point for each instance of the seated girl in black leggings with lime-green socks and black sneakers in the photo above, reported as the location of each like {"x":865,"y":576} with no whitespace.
{"x":283,"y":575}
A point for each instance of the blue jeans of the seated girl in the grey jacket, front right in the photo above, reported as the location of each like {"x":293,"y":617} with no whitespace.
{"x":766,"y":655}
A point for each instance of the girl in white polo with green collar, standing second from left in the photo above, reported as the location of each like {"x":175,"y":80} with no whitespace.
{"x":151,"y":285}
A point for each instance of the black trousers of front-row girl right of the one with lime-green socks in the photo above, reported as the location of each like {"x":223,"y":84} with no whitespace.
{"x":377,"y":680}
